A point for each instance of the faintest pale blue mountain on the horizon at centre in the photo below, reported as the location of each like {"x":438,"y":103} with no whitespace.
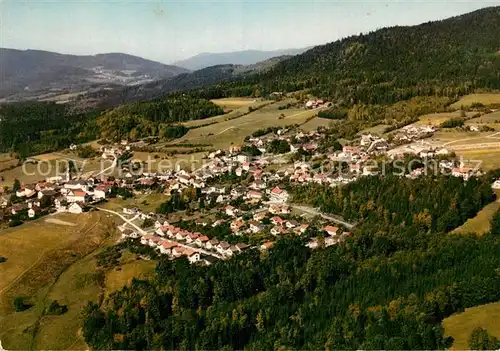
{"x":246,"y":57}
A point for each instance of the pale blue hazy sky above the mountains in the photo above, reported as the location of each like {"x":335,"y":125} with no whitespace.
{"x":167,"y":31}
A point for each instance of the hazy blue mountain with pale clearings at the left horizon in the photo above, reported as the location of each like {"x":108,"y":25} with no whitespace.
{"x":26,"y":73}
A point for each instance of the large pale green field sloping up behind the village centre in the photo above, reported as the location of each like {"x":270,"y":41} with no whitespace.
{"x":223,"y":134}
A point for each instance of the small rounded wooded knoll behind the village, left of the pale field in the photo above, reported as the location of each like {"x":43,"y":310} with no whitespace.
{"x":159,"y":117}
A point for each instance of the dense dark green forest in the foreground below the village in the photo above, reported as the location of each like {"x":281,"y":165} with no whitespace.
{"x":388,"y":286}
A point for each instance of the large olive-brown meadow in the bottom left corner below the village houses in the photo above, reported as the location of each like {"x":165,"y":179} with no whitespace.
{"x":48,"y":261}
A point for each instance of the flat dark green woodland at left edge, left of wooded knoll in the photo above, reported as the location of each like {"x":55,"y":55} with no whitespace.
{"x":30,"y":128}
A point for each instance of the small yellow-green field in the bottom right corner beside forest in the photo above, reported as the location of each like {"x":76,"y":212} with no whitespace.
{"x":460,"y":325}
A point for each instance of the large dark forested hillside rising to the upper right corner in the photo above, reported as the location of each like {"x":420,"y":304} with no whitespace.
{"x":450,"y":57}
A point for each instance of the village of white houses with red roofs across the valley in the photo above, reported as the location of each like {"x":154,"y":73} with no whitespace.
{"x":242,"y":192}
